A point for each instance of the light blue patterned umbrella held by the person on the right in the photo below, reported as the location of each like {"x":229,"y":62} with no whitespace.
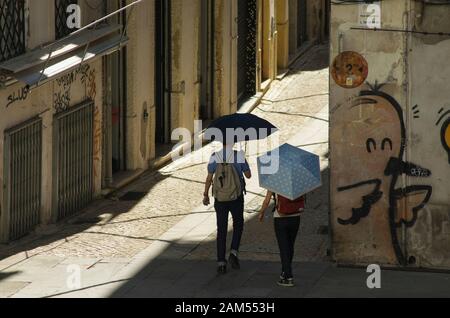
{"x":296,"y":174}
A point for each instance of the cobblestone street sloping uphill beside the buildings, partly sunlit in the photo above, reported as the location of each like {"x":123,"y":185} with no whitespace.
{"x":115,"y":230}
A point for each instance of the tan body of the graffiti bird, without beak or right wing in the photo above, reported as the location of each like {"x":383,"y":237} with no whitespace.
{"x":365,"y":134}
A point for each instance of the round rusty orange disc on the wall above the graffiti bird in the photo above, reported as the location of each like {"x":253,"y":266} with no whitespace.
{"x":350,"y":70}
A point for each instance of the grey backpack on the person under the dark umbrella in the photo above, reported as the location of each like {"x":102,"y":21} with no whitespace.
{"x":227,"y":183}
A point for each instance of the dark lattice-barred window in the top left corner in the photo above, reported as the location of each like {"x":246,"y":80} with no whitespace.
{"x":12,"y":29}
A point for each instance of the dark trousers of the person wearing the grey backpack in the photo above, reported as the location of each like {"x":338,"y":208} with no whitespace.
{"x":222,"y":211}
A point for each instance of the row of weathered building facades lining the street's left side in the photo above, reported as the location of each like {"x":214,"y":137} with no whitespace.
{"x":85,"y":112}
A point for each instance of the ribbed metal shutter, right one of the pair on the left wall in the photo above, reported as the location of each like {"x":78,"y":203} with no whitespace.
{"x":73,"y":155}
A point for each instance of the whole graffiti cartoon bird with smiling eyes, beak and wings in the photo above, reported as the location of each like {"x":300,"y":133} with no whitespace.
{"x":368,"y":138}
